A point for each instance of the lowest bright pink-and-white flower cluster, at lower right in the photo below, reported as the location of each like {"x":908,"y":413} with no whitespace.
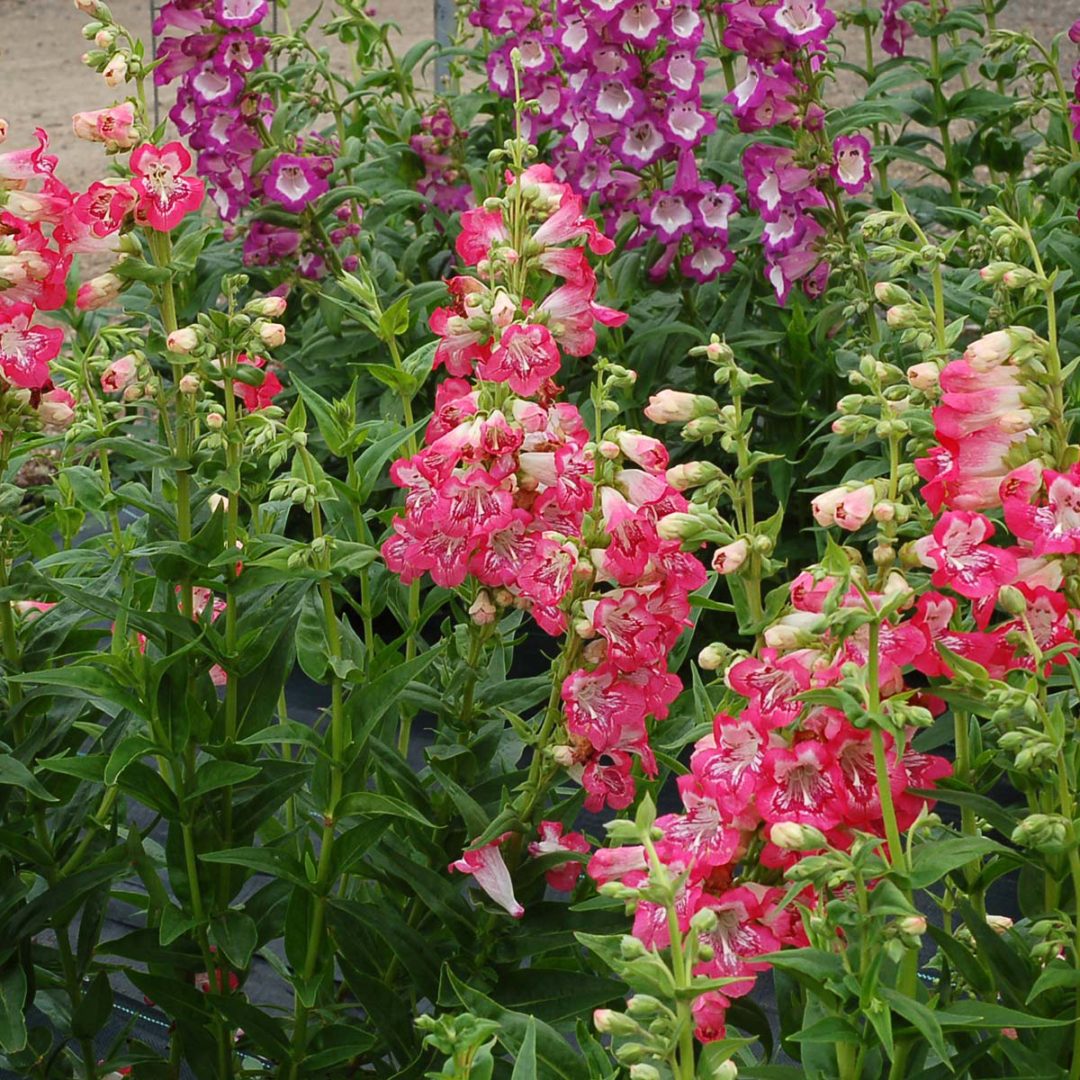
{"x":763,"y":777}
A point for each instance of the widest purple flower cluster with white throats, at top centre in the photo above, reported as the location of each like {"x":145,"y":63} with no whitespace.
{"x":620,"y":82}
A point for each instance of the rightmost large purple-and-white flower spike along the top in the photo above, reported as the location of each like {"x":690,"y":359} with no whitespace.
{"x":784,"y":45}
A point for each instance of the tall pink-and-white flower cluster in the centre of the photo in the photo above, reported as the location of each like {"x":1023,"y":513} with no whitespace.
{"x":510,"y":492}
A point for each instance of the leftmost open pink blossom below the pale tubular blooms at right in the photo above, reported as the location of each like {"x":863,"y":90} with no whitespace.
{"x":963,"y":561}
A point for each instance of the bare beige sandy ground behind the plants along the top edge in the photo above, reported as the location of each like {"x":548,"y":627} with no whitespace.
{"x":43,"y":82}
